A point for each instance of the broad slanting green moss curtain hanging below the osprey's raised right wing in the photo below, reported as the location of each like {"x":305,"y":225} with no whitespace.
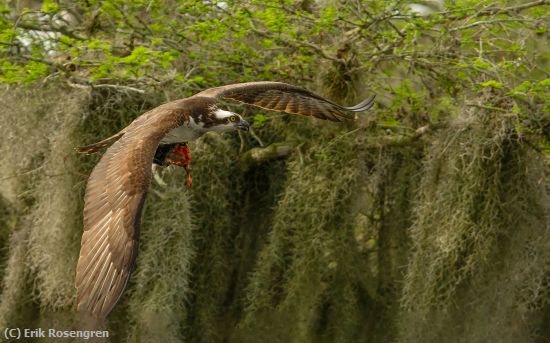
{"x":289,"y":295}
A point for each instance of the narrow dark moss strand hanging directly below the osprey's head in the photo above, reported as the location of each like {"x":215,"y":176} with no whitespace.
{"x":216,"y":180}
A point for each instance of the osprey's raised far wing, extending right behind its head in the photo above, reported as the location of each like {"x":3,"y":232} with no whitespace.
{"x":282,"y":97}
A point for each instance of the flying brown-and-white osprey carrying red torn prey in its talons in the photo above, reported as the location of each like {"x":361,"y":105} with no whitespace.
{"x":118,"y":184}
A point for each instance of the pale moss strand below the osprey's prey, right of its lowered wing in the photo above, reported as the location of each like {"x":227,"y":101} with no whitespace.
{"x":160,"y":286}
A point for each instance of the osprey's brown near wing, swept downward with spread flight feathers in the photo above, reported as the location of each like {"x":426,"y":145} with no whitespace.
{"x":114,"y":198}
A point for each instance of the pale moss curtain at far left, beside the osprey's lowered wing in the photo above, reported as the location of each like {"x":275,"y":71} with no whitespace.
{"x":39,"y":173}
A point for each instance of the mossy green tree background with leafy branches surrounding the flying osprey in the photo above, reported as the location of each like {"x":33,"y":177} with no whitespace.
{"x":427,"y":220}
